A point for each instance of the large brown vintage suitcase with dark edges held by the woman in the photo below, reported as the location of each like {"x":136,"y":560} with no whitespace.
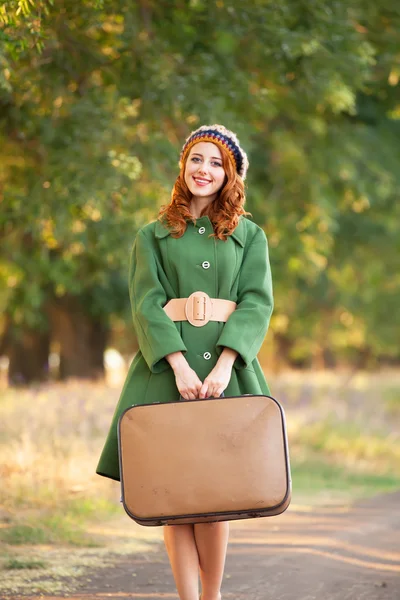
{"x":195,"y":461}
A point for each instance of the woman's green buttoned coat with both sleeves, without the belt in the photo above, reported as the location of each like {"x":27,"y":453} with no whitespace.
{"x":162,"y":268}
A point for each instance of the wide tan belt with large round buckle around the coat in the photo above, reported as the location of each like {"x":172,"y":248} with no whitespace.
{"x":199,"y":309}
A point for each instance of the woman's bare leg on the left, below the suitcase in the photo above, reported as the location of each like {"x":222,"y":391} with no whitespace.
{"x":183,"y":556}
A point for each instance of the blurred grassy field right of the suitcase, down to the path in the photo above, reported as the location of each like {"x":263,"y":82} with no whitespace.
{"x":344,"y":432}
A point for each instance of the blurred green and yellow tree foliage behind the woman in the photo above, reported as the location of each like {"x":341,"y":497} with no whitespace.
{"x":98,"y":98}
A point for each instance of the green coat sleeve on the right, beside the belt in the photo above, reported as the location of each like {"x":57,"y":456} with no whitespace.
{"x":247,"y":326}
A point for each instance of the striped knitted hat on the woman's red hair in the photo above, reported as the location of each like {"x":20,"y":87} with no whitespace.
{"x":219,"y":135}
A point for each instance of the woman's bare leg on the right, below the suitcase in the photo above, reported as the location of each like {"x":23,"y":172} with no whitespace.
{"x":211,"y":541}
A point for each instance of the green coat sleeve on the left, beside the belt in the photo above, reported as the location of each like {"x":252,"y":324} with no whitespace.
{"x":157,"y":334}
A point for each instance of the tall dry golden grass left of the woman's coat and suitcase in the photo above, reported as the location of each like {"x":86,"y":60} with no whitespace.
{"x":50,"y":440}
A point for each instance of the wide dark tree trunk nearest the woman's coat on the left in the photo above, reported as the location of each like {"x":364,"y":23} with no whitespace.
{"x":82,"y":339}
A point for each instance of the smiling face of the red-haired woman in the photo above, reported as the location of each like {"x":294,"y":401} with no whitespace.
{"x":204,"y":173}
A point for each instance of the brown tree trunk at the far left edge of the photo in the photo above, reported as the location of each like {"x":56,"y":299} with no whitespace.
{"x":28,"y":353}
